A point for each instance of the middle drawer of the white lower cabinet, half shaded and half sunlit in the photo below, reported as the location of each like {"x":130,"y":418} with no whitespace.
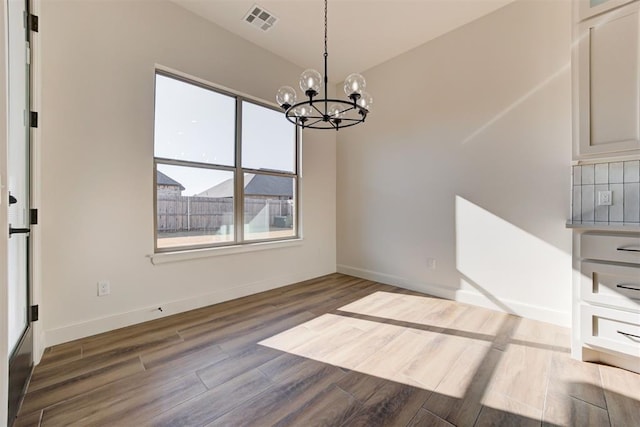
{"x":610,"y":284}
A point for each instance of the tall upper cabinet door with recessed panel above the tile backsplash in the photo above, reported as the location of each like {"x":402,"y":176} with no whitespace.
{"x":609,"y":83}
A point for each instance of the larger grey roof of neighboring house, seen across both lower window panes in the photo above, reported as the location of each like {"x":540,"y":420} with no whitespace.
{"x":254,"y":185}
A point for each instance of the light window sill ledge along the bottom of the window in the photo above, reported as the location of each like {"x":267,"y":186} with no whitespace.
{"x":177,"y":256}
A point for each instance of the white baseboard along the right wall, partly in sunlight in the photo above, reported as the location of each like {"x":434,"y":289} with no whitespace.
{"x":465,"y":296}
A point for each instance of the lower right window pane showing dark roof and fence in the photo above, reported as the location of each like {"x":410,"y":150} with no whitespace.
{"x":269,"y":207}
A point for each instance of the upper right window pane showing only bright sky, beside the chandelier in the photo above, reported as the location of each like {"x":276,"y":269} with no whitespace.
{"x":268,"y":139}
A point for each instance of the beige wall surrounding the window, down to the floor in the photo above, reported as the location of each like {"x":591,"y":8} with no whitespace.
{"x":97,"y":166}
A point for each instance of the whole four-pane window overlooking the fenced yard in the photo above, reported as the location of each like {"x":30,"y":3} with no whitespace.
{"x":221,"y":161}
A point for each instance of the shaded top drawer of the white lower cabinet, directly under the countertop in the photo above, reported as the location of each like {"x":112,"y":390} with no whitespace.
{"x":610,"y":247}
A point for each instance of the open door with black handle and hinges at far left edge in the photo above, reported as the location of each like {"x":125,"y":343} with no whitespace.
{"x":20,"y":332}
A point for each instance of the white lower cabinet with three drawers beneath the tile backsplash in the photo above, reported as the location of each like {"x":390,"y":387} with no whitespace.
{"x":608,"y":303}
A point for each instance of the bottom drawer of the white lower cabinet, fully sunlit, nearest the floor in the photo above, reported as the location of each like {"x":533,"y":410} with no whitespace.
{"x":611,"y":329}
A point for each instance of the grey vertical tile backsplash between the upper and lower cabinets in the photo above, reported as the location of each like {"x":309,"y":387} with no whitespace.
{"x":621,"y":178}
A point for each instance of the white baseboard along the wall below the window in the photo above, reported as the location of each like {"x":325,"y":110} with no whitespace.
{"x":104,"y":324}
